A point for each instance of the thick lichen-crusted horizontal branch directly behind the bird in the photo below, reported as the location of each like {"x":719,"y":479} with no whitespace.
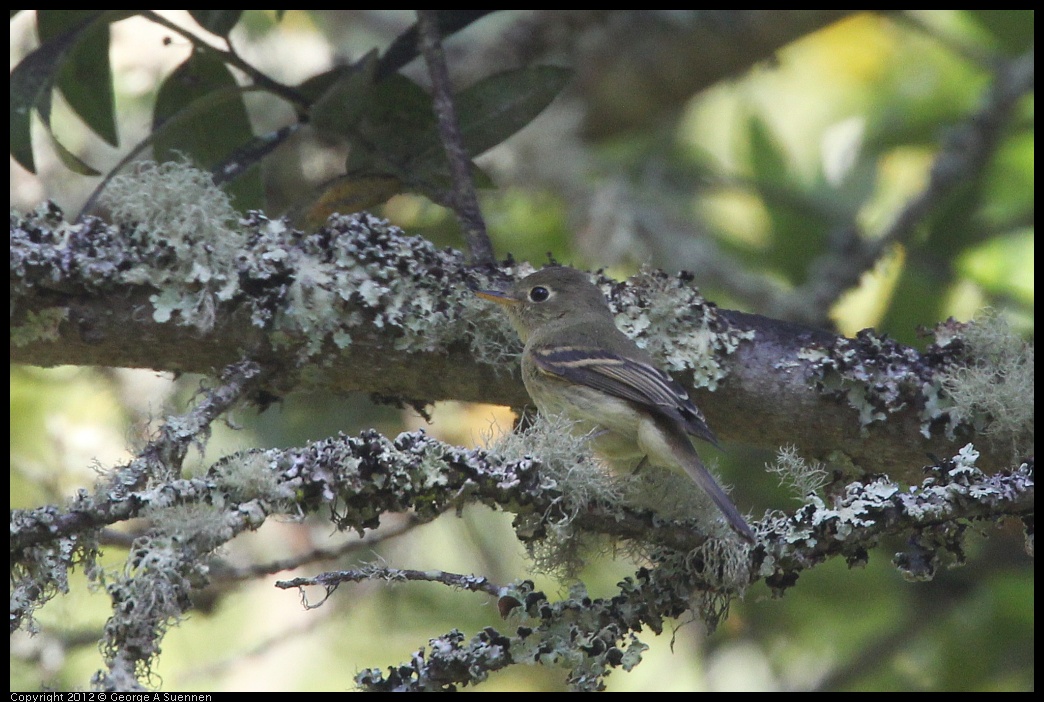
{"x":361,"y":307}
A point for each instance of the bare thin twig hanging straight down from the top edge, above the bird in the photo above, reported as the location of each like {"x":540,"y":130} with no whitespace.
{"x":464,"y":198}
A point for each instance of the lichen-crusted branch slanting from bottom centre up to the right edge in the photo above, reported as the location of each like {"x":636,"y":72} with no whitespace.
{"x":590,"y":638}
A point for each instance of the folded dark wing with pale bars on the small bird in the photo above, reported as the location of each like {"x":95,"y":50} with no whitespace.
{"x":627,"y":379}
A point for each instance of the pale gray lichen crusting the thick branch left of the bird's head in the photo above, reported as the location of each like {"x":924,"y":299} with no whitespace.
{"x":177,"y":235}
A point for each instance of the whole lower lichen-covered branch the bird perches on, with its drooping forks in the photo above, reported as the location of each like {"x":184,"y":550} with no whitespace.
{"x":359,"y":479}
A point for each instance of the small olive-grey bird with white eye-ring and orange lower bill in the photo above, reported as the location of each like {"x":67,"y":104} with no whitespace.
{"x":577,"y":363}
